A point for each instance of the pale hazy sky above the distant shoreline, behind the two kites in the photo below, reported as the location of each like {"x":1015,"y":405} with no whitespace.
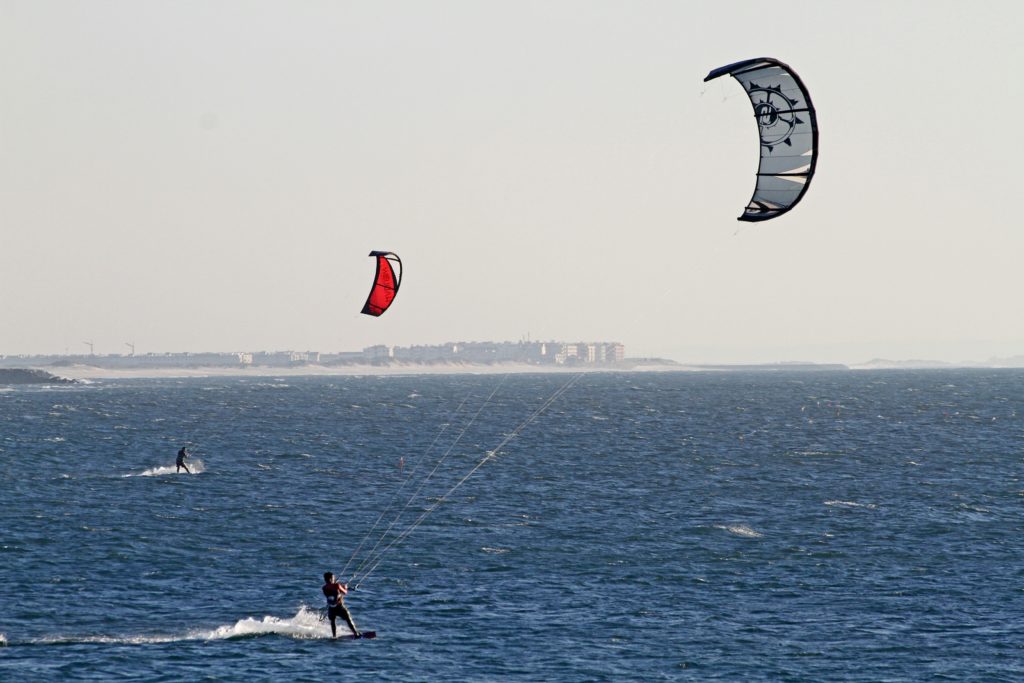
{"x":211,"y":177}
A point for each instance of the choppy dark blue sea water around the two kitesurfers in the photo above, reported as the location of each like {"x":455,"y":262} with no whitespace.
{"x":776,"y":527}
